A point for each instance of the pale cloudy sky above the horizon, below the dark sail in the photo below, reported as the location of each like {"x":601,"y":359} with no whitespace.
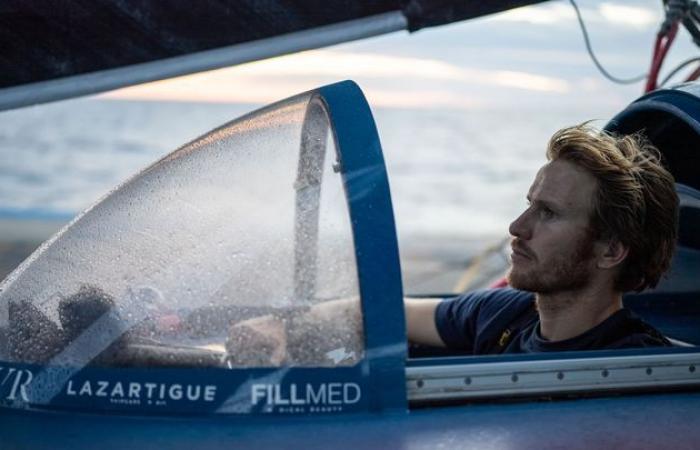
{"x":528,"y":56}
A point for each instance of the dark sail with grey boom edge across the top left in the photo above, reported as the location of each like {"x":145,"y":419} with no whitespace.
{"x":80,"y":47}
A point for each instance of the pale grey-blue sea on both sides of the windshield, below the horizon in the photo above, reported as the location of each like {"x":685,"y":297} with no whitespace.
{"x":458,"y":177}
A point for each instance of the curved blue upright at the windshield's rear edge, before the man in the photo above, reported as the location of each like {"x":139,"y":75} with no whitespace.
{"x":376,"y":246}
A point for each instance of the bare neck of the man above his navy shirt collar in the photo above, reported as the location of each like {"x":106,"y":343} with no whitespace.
{"x":565,"y":315}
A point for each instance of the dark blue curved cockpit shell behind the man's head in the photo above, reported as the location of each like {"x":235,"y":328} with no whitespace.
{"x":670,"y":119}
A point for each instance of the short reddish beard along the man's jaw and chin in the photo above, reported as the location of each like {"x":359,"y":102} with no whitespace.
{"x":566,"y":271}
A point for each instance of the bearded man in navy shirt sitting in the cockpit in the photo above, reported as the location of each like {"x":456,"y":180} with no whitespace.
{"x":601,"y":220}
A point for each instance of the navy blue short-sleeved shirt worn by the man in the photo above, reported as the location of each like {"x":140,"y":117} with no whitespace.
{"x":506,"y":321}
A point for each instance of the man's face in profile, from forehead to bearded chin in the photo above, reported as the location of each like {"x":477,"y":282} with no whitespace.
{"x":552,"y":243}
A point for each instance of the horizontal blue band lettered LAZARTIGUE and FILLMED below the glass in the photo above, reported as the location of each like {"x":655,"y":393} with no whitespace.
{"x":143,"y":391}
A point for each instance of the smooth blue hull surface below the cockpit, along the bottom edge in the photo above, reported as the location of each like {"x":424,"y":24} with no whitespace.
{"x":657,"y":421}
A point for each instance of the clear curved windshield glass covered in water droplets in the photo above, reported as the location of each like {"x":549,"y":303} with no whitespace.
{"x":233,"y":251}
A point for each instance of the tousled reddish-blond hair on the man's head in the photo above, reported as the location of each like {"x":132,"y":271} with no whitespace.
{"x":635,"y":203}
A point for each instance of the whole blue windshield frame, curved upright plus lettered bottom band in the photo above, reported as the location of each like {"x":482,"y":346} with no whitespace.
{"x":377,"y":383}
